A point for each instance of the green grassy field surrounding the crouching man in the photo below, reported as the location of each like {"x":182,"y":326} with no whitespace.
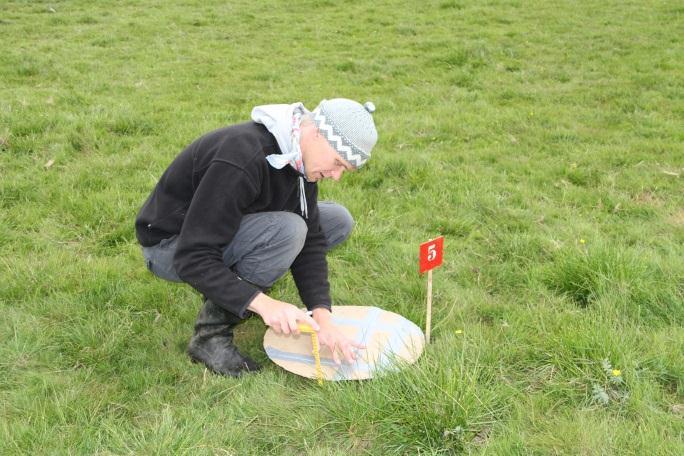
{"x":543,"y":139}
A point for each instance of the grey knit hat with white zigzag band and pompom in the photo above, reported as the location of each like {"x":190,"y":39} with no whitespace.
{"x":349,"y":128}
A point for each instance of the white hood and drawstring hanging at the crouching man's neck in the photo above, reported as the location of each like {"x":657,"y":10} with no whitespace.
{"x":283,"y":121}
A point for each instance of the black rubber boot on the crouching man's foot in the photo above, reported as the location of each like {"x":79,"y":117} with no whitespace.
{"x":212,"y":342}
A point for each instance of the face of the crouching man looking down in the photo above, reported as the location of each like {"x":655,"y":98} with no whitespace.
{"x":321,"y":161}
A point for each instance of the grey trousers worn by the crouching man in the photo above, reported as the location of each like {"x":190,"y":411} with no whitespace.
{"x":265,"y":245}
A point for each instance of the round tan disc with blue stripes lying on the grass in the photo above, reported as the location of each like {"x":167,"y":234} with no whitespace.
{"x":390,"y":339}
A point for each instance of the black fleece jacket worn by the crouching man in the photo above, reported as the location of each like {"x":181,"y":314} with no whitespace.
{"x":204,"y":194}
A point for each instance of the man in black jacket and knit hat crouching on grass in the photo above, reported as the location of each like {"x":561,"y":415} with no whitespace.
{"x":239,"y":207}
